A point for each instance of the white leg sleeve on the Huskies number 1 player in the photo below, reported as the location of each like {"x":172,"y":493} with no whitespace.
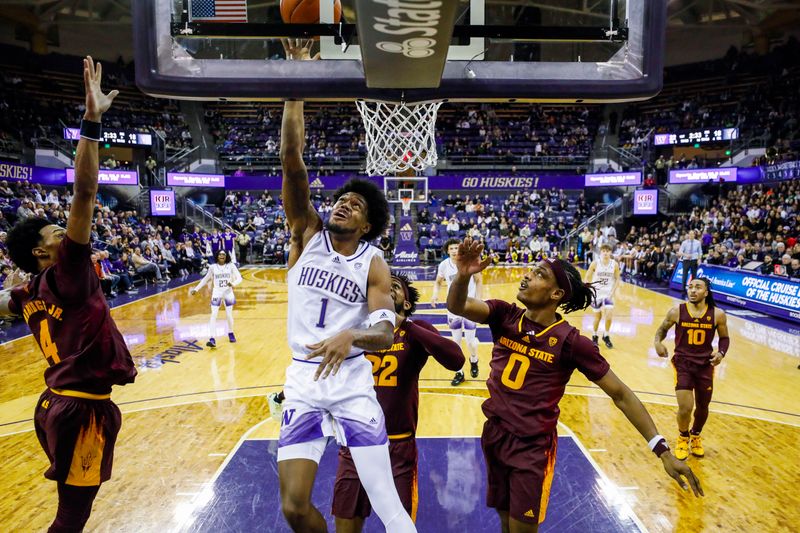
{"x":375,"y":472}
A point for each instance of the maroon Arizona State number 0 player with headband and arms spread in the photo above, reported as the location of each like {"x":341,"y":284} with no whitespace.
{"x":535,"y":352}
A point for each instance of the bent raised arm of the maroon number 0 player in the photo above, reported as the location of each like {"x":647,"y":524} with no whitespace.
{"x":468,"y":262}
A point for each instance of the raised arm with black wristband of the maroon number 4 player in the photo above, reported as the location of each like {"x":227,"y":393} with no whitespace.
{"x":79,"y":223}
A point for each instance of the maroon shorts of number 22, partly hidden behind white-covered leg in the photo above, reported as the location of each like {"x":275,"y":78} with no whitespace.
{"x":349,"y":497}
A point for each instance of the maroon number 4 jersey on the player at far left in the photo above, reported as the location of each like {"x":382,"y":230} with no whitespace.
{"x":67,"y":313}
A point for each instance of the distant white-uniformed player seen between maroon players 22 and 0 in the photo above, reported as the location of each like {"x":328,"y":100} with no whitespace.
{"x":444,"y":275}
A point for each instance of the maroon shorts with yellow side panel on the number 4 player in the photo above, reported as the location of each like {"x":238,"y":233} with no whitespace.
{"x":77,"y":432}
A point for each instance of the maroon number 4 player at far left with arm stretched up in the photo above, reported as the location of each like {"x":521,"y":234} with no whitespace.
{"x":75,"y":420}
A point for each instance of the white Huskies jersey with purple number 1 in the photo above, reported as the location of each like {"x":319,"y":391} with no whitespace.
{"x":327,"y":292}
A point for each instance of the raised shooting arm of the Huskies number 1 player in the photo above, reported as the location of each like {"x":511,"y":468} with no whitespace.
{"x":301,"y":216}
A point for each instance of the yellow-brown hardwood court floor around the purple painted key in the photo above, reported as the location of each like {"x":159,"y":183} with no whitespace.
{"x":190,"y":406}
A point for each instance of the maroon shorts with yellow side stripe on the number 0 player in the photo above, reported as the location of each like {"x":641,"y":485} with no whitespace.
{"x":519,"y":471}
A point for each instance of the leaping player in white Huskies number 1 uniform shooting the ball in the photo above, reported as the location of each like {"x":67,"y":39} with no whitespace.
{"x":339,"y":306}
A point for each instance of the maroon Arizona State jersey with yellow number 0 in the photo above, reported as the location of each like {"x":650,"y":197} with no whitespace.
{"x":531,"y":365}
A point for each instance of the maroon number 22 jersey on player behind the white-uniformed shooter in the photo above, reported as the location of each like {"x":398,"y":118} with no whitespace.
{"x":396,"y":372}
